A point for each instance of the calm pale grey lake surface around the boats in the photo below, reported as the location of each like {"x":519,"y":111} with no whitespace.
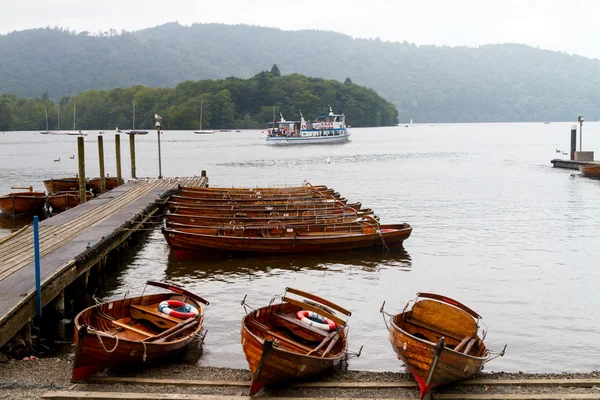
{"x":495,"y":227}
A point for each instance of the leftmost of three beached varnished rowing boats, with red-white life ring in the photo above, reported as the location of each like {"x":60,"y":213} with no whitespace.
{"x":134,"y":331}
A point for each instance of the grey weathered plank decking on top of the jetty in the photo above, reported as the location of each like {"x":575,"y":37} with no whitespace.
{"x":62,"y":239}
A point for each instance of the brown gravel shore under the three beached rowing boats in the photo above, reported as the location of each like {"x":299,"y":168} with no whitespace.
{"x":21,"y":380}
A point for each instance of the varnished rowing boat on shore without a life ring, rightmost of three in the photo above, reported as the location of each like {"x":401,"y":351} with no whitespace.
{"x":438,"y":341}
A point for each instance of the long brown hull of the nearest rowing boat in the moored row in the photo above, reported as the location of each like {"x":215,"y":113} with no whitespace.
{"x":390,"y":235}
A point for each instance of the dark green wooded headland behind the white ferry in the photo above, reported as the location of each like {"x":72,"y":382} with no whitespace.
{"x":226,"y":103}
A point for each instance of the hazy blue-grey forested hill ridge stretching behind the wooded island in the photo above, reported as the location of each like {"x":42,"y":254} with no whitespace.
{"x":507,"y":82}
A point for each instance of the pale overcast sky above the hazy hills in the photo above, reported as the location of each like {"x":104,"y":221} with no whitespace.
{"x":571,"y":26}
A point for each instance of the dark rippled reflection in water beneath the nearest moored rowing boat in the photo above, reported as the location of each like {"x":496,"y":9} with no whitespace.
{"x":186,"y":265}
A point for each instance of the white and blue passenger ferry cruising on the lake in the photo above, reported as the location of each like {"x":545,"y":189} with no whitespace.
{"x":326,"y":128}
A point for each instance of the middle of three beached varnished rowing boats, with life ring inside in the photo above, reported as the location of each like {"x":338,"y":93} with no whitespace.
{"x":279,"y":347}
